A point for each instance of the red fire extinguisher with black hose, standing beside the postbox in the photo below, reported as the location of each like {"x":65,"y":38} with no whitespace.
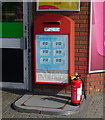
{"x":77,"y":86}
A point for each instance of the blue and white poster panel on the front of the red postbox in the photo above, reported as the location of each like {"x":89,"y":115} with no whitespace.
{"x":52,"y":58}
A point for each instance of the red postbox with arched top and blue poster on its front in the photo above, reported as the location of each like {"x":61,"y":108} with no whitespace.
{"x":53,"y":49}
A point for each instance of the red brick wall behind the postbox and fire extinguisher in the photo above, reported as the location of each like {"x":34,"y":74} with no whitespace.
{"x":93,"y":82}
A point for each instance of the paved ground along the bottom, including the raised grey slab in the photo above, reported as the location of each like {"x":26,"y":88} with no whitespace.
{"x":92,"y":107}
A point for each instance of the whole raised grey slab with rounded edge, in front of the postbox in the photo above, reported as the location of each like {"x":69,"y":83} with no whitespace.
{"x":46,"y":104}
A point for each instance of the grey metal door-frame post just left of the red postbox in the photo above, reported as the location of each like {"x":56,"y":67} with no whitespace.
{"x":27,"y":18}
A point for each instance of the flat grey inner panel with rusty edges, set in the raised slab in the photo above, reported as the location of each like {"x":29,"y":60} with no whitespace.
{"x":45,"y":101}
